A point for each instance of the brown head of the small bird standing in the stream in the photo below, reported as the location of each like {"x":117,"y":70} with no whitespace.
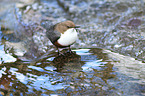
{"x":63,"y":26}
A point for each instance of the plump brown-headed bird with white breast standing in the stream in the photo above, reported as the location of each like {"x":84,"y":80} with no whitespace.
{"x":62,"y":34}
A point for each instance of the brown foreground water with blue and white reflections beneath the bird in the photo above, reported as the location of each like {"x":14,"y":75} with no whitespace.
{"x":80,"y":73}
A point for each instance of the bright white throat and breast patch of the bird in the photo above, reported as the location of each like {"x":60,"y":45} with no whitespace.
{"x":68,"y":38}
